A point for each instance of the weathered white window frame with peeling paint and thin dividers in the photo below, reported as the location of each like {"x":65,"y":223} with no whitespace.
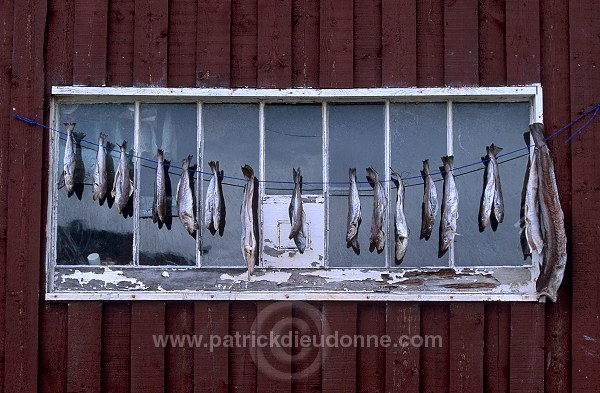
{"x":498,"y":283}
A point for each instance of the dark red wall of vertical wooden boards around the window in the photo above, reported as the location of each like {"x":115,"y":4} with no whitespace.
{"x":93,"y":347}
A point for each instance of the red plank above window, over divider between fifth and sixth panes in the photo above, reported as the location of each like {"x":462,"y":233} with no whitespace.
{"x":399,"y":43}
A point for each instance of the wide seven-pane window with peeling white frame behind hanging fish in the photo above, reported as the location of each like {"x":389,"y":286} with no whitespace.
{"x":94,"y":252}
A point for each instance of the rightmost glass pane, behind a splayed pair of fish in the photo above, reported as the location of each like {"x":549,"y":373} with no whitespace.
{"x":477,"y":125}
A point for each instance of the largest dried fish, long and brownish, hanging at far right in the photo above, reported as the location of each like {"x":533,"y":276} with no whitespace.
{"x":555,"y":238}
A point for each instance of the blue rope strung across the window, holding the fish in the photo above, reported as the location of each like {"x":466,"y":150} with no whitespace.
{"x":594,"y":109}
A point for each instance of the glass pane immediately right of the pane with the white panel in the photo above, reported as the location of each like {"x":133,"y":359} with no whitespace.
{"x":356,"y":140}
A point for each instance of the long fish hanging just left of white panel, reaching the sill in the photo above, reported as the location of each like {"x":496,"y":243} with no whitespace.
{"x":249,"y":236}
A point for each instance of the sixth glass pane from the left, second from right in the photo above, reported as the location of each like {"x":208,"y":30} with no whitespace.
{"x":418,"y":132}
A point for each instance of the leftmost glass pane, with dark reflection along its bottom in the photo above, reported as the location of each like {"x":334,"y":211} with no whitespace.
{"x":86,"y":227}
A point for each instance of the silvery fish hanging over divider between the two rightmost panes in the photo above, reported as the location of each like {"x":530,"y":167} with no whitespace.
{"x":449,"y":207}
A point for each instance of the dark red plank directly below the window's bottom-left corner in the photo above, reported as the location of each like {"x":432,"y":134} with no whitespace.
{"x":53,"y":349}
